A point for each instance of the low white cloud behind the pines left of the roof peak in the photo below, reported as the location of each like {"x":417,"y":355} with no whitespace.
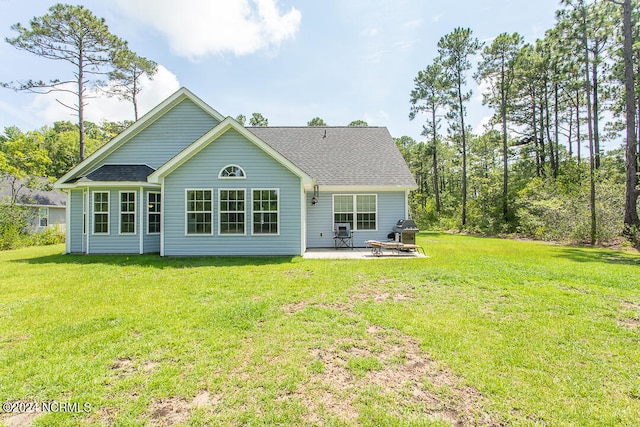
{"x":47,"y":108}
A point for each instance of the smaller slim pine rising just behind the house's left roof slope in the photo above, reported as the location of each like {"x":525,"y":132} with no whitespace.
{"x":125,"y":78}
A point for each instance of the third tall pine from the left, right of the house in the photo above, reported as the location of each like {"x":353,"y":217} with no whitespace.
{"x":498,"y":68}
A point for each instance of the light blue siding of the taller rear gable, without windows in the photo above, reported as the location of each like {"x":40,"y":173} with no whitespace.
{"x":165,"y":138}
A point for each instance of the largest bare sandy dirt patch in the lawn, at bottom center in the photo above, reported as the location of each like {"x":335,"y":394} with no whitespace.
{"x":402,"y":372}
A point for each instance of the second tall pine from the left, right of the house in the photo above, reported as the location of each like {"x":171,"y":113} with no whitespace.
{"x":455,"y":50}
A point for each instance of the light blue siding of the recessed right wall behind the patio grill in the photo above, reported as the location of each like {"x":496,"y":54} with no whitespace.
{"x":391,"y":208}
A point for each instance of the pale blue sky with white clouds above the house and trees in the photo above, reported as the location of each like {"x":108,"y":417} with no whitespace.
{"x":290,"y":60}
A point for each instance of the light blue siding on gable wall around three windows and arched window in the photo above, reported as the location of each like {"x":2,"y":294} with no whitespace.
{"x":201,"y":172}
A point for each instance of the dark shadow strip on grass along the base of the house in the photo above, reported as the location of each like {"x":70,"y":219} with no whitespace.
{"x":155,"y":261}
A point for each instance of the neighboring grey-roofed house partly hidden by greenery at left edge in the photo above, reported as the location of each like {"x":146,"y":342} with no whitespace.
{"x":48,"y":206}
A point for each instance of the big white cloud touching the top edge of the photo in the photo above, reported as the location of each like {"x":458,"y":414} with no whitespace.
{"x":198,"y":28}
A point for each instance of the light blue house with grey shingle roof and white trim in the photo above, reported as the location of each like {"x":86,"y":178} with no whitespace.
{"x":185,"y":180}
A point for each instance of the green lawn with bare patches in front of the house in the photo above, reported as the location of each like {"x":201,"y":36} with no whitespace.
{"x":483,"y":332}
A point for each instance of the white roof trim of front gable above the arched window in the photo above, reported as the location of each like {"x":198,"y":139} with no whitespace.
{"x":211,"y":136}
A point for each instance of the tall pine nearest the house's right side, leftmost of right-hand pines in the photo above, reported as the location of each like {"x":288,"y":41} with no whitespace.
{"x":430,"y":95}
